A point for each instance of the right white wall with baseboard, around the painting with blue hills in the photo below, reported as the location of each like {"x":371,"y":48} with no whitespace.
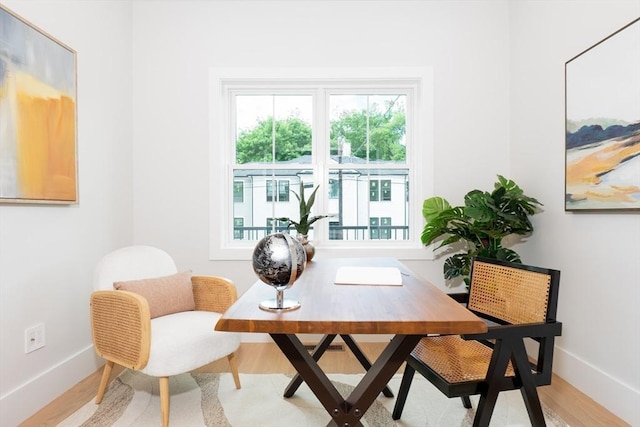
{"x":598,"y":253}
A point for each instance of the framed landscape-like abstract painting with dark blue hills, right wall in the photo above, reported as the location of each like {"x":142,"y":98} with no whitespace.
{"x":602,"y":135}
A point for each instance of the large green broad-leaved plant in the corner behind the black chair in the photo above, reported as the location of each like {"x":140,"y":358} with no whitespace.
{"x":480,"y":225}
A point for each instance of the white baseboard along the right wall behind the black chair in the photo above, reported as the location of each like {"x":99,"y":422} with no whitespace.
{"x":619,"y":398}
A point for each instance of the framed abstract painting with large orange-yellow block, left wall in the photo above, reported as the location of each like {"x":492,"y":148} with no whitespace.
{"x":38,"y":115}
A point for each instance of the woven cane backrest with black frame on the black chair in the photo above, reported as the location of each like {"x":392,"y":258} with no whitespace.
{"x":512,"y":293}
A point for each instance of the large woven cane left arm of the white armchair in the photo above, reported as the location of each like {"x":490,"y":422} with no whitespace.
{"x":121,"y":327}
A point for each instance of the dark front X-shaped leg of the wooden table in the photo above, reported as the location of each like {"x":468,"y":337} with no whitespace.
{"x":346,"y":412}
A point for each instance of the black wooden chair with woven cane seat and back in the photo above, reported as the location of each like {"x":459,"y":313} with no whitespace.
{"x":519,"y":303}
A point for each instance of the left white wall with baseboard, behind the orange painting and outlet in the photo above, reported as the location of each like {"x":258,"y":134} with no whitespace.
{"x":47,"y":253}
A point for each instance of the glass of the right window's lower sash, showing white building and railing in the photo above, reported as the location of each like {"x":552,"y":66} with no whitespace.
{"x":357,"y":217}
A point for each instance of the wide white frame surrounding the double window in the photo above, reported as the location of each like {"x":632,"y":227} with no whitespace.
{"x":222,"y":80}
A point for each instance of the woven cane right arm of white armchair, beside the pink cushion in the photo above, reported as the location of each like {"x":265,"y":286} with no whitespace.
{"x":213,"y":293}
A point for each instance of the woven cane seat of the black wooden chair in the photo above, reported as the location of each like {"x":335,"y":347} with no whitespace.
{"x":455,"y":359}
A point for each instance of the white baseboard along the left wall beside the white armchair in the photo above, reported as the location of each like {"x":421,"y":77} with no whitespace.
{"x":27,"y":399}
